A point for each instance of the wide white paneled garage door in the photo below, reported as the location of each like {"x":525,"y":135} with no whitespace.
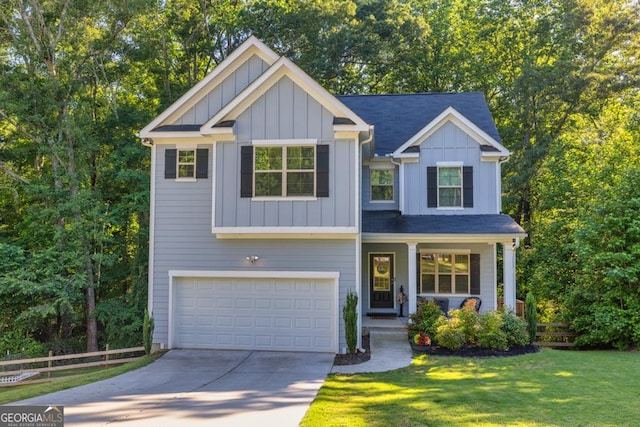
{"x":255,"y":314}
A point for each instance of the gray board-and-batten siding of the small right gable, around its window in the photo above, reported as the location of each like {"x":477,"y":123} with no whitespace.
{"x":450,"y":144}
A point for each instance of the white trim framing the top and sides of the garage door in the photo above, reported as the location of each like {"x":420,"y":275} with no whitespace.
{"x":253,"y":274}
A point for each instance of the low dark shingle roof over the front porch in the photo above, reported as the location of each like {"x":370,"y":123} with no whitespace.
{"x":388,"y":222}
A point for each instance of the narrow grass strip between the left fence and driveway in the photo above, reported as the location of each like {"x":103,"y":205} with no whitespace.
{"x":76,"y":378}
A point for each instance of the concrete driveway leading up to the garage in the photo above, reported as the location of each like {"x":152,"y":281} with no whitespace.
{"x":200,"y":388}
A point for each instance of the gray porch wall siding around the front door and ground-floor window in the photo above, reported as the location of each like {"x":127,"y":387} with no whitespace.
{"x":487,"y":271}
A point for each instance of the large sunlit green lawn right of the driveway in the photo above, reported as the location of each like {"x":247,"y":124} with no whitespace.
{"x":551,"y":388}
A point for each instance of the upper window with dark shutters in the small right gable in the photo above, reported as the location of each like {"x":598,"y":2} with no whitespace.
{"x":450,"y":186}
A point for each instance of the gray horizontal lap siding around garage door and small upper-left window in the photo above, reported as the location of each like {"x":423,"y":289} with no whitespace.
{"x":183,"y":241}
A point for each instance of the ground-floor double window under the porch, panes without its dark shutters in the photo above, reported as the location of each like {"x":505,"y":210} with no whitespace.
{"x":445,"y":273}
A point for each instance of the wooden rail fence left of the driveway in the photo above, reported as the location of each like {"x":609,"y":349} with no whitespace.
{"x":14,"y":372}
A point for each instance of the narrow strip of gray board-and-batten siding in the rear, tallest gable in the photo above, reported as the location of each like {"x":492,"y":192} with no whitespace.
{"x":213,"y":102}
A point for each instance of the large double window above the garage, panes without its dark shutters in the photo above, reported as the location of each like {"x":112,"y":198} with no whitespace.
{"x":284,"y":171}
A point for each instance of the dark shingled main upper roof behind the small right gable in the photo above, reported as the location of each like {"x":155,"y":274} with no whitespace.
{"x":399,"y":117}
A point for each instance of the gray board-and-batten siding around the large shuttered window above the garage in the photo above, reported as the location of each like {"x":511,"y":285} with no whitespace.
{"x":294,"y":115}
